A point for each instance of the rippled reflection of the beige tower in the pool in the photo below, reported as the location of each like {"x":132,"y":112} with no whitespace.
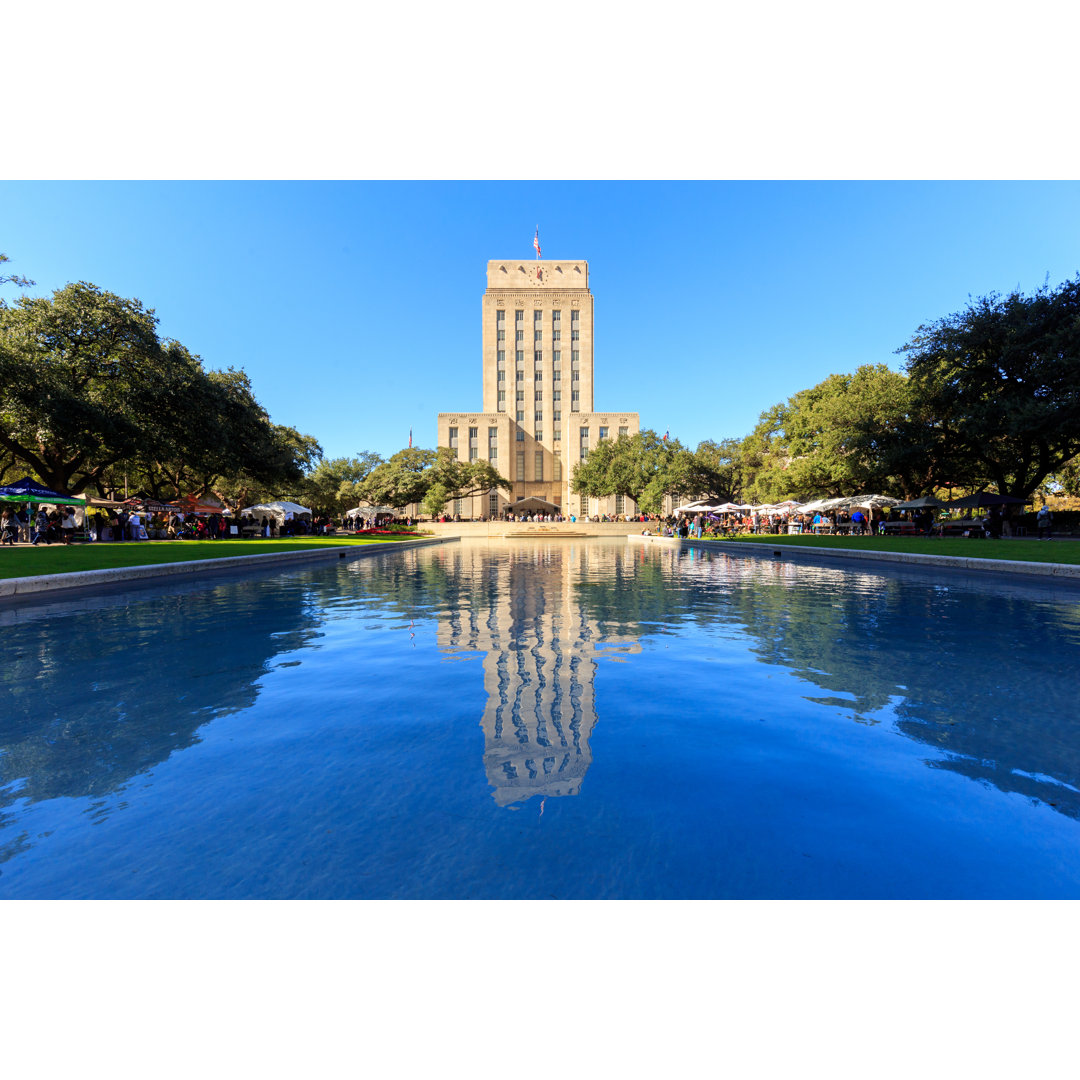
{"x":542,"y":652}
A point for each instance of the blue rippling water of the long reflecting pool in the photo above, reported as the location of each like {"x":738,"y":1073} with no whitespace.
{"x":545,"y":720}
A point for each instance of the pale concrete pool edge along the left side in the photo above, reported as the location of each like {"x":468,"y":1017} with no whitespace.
{"x":36,"y":586}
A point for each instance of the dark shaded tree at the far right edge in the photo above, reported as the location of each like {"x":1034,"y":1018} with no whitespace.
{"x":1003,"y":377}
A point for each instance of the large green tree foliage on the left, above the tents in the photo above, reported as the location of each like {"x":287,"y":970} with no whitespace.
{"x":90,"y":397}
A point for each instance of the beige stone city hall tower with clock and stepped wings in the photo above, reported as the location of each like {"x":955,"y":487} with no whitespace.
{"x":538,"y":417}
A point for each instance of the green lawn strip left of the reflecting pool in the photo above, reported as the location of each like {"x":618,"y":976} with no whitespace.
{"x":60,"y":559}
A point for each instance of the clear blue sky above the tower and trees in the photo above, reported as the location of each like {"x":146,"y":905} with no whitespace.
{"x":355,"y":307}
